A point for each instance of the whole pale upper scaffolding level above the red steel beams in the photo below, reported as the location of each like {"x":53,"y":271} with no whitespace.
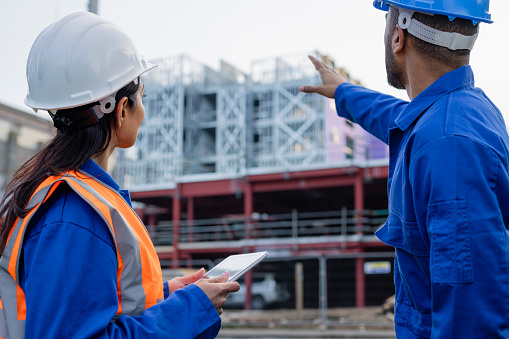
{"x":225,"y":124}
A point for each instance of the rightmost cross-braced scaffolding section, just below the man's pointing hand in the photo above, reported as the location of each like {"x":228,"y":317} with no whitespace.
{"x":287,"y":127}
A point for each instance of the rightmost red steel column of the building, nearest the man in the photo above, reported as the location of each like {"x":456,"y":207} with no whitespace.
{"x":360,"y":284}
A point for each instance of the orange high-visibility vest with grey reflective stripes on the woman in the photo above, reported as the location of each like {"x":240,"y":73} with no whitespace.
{"x":139,"y":280}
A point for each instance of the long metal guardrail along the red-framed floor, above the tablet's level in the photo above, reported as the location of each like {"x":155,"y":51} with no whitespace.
{"x":294,"y":225}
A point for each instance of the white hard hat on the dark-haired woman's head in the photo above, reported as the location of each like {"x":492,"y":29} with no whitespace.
{"x":80,"y":59}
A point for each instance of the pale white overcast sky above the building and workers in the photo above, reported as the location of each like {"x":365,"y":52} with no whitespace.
{"x":241,"y":31}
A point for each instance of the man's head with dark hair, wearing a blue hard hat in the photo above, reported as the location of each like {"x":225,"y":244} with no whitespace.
{"x":442,"y":35}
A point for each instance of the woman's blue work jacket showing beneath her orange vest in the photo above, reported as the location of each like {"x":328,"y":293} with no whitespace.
{"x":69,"y":277}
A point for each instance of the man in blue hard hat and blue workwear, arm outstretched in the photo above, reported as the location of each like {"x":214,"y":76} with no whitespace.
{"x":448,"y":182}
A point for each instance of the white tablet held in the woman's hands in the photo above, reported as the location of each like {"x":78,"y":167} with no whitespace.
{"x":237,"y":265}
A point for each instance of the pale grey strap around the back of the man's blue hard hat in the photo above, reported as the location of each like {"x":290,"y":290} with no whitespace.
{"x":450,"y":40}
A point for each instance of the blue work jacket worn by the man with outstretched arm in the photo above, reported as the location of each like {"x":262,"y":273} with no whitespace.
{"x":448,"y":190}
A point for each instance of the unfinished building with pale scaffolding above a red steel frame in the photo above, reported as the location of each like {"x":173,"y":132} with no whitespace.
{"x":228,"y":162}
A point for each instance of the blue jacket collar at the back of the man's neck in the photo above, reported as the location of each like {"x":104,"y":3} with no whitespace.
{"x":447,"y":83}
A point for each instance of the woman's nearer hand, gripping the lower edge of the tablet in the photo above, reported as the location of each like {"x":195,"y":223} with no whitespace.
{"x":217,"y":289}
